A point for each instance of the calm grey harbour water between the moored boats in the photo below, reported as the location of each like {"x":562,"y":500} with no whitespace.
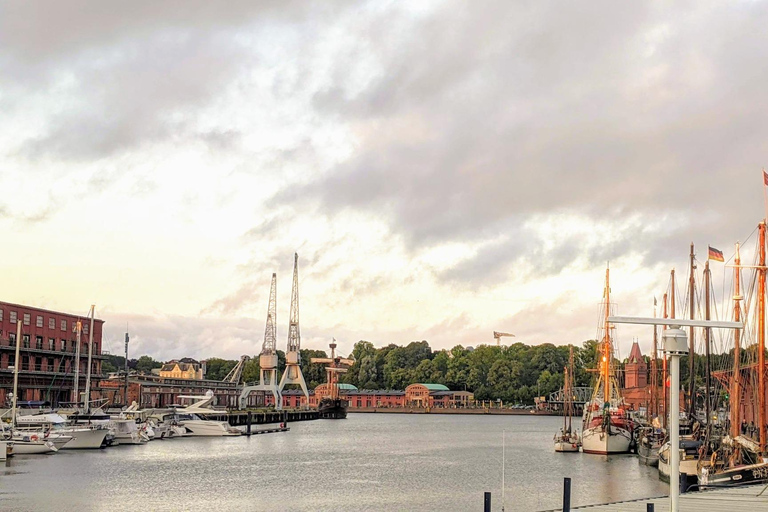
{"x":366,"y":462}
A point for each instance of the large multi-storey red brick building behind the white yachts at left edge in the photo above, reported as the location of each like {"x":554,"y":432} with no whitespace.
{"x":47,"y":353}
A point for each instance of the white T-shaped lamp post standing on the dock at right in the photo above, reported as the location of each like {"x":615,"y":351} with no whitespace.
{"x":675,"y":345}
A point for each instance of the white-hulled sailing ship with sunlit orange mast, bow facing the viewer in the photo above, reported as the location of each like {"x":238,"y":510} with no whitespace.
{"x":607,"y":427}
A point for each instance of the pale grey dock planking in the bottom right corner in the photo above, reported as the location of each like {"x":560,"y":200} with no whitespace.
{"x":749,"y":498}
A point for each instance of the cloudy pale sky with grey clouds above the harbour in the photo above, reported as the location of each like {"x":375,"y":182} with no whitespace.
{"x":443,"y":169}
